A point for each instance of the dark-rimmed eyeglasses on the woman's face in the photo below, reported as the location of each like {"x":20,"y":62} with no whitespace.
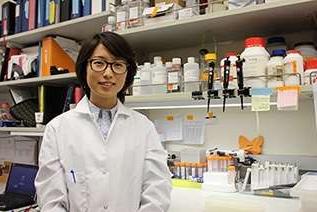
{"x":99,"y":65}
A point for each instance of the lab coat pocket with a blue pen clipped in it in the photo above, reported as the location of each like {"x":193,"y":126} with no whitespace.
{"x":77,"y":191}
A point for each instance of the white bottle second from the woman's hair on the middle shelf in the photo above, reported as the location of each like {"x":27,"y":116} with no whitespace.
{"x":146,"y":79}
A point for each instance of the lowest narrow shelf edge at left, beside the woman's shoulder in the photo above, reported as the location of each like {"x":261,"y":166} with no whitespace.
{"x":23,"y":131}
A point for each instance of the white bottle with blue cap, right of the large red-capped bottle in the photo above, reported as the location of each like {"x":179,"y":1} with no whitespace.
{"x":275,"y":69}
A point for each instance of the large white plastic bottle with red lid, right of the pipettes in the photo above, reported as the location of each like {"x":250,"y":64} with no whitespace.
{"x":256,"y":58}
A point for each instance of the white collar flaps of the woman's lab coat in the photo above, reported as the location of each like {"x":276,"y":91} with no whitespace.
{"x":83,"y":106}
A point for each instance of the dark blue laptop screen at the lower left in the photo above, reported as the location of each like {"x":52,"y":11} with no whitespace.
{"x":21,"y":179}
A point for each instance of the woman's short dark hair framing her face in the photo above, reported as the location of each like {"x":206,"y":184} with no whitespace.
{"x":118,"y":47}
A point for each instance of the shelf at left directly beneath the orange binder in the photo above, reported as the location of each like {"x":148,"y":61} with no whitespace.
{"x":60,"y":79}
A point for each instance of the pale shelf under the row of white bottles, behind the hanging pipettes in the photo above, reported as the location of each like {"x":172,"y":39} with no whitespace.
{"x":184,"y":100}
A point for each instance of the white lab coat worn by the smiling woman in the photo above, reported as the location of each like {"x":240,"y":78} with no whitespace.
{"x":81,"y":171}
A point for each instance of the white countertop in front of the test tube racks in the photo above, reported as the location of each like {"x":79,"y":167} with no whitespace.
{"x":195,"y":200}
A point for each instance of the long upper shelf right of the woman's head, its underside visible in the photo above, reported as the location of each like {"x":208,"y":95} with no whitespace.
{"x":261,"y":20}
